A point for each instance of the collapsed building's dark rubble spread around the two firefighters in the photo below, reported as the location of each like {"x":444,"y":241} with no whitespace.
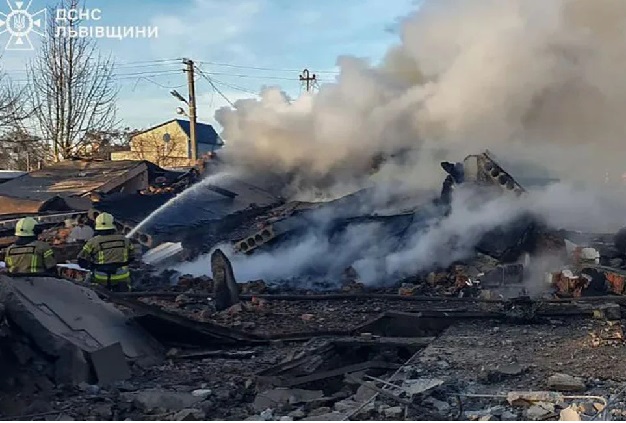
{"x":460,"y":338}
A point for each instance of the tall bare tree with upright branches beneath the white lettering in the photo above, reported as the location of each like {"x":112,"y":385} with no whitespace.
{"x":72,"y":87}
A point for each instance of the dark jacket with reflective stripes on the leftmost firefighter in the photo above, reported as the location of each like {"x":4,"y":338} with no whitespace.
{"x":34,"y":258}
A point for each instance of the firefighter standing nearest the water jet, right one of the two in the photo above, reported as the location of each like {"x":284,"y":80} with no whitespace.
{"x":108,"y":255}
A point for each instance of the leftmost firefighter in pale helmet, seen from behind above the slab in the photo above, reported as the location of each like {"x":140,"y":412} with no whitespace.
{"x":28,"y":256}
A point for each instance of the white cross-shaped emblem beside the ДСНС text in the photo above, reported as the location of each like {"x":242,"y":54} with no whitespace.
{"x":19,"y":23}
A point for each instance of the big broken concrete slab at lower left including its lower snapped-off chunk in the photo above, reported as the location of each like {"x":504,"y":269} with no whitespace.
{"x":65,"y":321}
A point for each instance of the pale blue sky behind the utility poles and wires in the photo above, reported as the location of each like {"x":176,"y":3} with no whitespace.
{"x":241,"y":45}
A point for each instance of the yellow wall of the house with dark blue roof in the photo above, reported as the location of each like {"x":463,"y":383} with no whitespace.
{"x":150,"y":146}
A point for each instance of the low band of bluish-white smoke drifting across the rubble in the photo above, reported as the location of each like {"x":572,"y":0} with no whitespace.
{"x":429,"y":243}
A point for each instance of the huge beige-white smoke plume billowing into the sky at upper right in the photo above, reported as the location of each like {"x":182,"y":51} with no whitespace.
{"x":525,"y":78}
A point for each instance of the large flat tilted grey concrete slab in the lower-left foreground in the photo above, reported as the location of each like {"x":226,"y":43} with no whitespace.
{"x":78,"y":315}
